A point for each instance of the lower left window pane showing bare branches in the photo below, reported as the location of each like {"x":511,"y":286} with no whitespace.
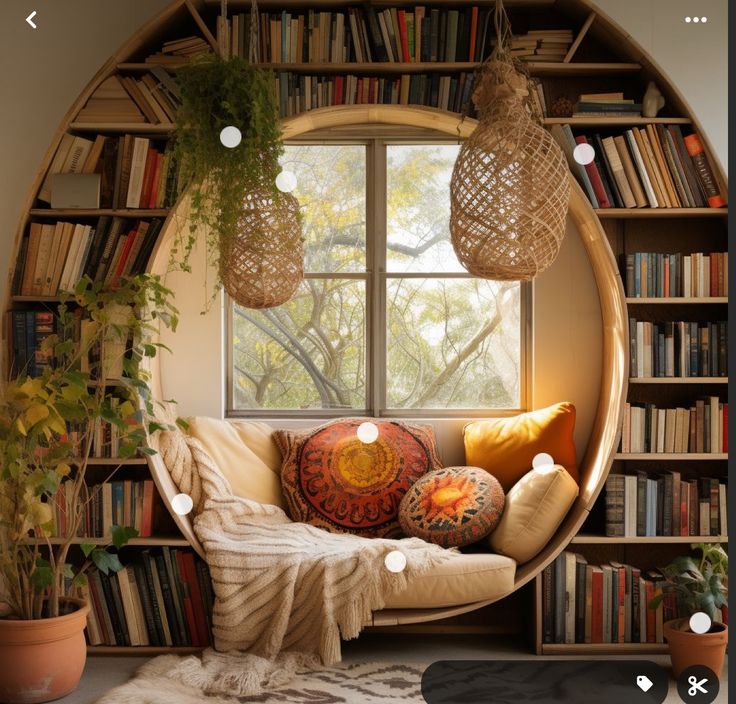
{"x":307,"y":354}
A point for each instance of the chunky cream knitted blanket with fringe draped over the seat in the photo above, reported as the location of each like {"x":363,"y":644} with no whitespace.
{"x":280,"y":585}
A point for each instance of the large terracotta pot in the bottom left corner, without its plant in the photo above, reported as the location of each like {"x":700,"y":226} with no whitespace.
{"x":43,"y":659}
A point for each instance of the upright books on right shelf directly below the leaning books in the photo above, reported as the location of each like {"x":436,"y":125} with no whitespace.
{"x":658,"y":275}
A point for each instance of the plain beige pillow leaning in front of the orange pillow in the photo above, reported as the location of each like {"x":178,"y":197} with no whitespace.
{"x":535,"y":507}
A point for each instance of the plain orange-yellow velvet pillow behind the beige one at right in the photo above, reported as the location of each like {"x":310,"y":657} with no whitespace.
{"x":506,"y":446}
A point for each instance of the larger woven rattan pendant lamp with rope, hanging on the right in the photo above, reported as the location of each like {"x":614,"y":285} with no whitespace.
{"x":510,"y":185}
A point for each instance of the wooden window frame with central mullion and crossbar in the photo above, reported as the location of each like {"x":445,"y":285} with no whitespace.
{"x":376,"y":279}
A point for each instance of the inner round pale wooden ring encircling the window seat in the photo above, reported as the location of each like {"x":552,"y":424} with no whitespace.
{"x":614,"y":379}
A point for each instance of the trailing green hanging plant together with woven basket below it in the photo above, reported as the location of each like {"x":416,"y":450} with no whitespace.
{"x":227,"y":147}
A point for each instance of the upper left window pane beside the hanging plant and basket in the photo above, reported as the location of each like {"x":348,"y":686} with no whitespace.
{"x":331,"y":192}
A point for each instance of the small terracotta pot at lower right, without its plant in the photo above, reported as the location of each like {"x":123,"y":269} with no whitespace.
{"x":688,"y":648}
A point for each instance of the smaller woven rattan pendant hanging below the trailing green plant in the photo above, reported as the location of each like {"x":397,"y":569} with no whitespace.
{"x":263,"y":264}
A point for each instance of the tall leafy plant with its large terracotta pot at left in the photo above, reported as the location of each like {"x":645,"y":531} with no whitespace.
{"x":92,"y":370}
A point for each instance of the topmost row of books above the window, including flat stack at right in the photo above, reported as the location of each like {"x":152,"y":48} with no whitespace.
{"x":367,"y":34}
